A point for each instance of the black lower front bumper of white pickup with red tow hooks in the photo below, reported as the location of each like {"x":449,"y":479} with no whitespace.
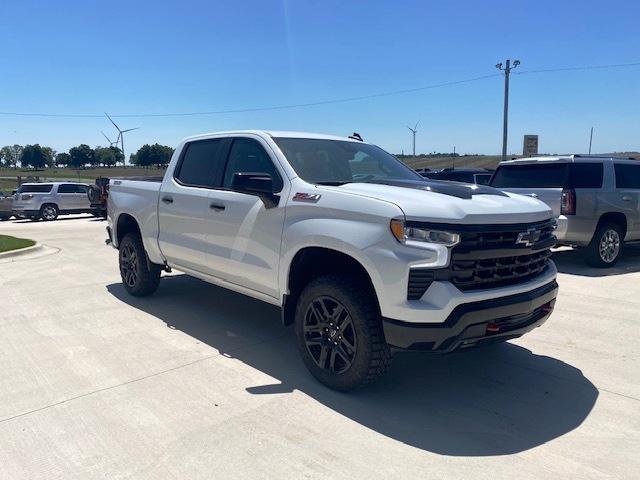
{"x":470,"y":324}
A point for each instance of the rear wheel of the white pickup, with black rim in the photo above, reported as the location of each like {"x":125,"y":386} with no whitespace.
{"x":139,"y":276}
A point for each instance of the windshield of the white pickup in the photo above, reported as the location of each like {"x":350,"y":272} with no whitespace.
{"x":336,"y":162}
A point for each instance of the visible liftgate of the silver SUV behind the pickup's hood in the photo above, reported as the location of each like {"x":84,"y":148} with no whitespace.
{"x":543,"y":181}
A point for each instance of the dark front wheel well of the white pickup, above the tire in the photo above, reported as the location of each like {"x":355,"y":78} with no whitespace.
{"x":309,"y":263}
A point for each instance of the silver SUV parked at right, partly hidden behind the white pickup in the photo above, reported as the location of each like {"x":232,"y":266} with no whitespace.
{"x":596,"y":199}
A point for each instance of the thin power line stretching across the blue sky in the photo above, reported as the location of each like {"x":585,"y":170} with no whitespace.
{"x":321,"y":102}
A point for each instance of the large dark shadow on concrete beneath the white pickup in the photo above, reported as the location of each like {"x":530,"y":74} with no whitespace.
{"x":498,"y":400}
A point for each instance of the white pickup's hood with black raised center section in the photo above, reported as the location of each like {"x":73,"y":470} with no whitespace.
{"x":451,"y":202}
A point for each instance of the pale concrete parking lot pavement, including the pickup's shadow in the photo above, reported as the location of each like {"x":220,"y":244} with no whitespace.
{"x":197,"y":382}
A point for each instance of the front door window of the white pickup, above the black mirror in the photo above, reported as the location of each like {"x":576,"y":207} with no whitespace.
{"x":248,"y":156}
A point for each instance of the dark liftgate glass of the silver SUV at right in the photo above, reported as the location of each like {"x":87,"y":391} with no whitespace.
{"x":530,"y":176}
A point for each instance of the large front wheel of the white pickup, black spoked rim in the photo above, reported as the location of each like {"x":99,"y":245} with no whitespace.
{"x":339,"y":333}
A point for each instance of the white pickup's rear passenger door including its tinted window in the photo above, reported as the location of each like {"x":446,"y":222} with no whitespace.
{"x":184,"y":213}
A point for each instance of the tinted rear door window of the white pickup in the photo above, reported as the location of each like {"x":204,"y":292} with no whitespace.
{"x":201,"y":164}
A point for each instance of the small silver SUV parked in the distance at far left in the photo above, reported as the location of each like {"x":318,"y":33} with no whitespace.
{"x":48,"y":200}
